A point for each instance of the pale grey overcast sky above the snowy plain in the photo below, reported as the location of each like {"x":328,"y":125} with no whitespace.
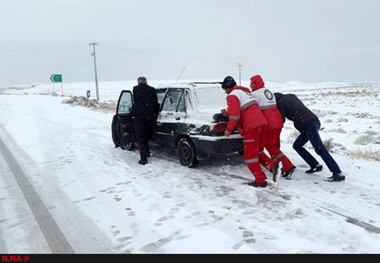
{"x":283,"y":40}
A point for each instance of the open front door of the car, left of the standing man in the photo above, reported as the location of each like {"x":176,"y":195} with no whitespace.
{"x":122,"y":124}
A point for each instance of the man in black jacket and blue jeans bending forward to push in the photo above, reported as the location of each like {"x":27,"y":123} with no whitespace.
{"x":308,"y":124}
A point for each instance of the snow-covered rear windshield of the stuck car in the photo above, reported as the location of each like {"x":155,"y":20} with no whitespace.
{"x":211,"y":97}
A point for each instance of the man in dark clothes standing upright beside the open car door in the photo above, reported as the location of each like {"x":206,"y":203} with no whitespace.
{"x":145,"y":112}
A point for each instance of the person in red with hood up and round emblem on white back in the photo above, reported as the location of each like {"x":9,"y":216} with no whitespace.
{"x":268,"y":106}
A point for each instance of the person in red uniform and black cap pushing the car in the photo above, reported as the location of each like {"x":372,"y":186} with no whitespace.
{"x":244,"y":111}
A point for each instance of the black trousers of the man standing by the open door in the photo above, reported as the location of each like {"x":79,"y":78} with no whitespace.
{"x":144,"y":128}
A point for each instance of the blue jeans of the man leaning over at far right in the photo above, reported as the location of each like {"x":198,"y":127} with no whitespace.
{"x":311,"y":133}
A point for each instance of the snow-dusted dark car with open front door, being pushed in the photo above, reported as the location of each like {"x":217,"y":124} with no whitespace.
{"x":189,"y":121}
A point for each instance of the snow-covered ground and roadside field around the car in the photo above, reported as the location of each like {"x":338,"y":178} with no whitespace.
{"x":103,"y":201}
